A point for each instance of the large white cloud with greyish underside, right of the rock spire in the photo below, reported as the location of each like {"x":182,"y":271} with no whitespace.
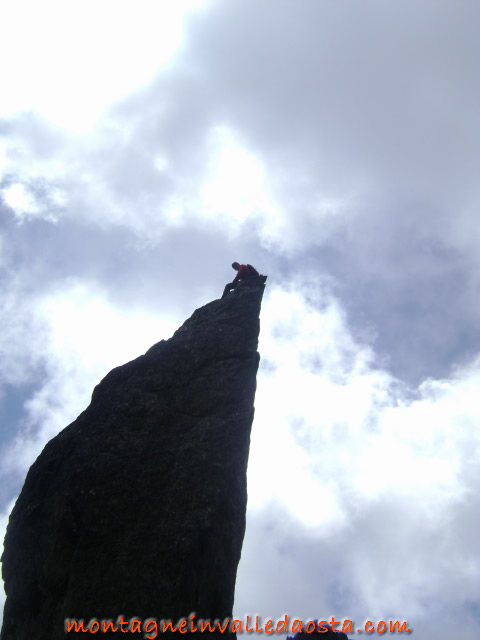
{"x":383,"y":478}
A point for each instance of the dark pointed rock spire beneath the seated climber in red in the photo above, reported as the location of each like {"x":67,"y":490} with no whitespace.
{"x":138,"y":507}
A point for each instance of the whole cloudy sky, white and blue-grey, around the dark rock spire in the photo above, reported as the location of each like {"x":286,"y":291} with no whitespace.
{"x":335,"y":146}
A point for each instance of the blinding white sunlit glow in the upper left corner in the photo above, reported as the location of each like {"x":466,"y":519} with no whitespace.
{"x":70,"y":61}
